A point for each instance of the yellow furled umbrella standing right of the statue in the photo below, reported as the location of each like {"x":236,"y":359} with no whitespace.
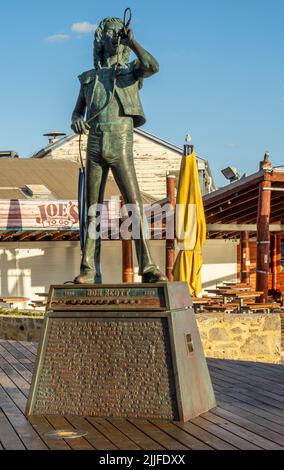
{"x":191,"y":225}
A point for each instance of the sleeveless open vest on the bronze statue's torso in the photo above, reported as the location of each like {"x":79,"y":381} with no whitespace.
{"x":127,"y":89}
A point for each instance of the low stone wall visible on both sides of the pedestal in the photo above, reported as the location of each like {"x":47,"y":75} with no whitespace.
{"x":255,"y":337}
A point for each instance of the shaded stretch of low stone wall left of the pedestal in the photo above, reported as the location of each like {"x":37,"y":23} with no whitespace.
{"x":20,"y":328}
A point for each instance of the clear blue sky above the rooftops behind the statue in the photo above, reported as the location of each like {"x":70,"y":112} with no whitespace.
{"x":221,"y":73}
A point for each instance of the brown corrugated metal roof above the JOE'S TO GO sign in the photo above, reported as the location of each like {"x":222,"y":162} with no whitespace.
{"x":59,"y":176}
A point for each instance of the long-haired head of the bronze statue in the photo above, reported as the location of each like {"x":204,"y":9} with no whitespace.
{"x":104,"y":42}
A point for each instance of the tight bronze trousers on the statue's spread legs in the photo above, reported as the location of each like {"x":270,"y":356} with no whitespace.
{"x":111,"y":147}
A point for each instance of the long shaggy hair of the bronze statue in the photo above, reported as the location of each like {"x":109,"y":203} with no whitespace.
{"x":99,"y":42}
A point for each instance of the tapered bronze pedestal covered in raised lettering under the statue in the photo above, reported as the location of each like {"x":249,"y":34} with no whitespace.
{"x":127,"y":351}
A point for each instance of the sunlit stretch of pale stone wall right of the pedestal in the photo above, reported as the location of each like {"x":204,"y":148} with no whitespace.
{"x":255,"y":337}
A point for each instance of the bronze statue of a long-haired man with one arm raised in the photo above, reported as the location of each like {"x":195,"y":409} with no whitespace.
{"x":110,"y":95}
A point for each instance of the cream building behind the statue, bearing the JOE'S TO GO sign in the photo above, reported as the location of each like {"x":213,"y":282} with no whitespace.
{"x":39,"y":225}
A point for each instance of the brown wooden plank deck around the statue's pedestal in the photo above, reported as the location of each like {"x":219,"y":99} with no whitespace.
{"x":249,"y":416}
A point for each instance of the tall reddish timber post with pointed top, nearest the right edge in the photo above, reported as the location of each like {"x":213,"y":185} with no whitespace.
{"x":263,"y":234}
